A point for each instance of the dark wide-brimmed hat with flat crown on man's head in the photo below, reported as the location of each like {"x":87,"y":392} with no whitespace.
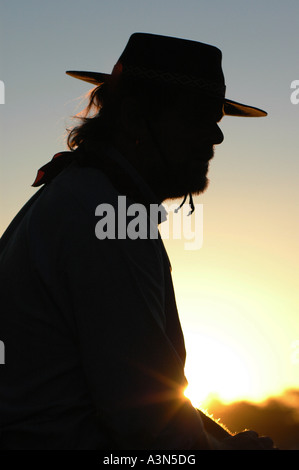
{"x":179,"y":62}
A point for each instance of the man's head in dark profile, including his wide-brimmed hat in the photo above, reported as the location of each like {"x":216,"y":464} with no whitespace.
{"x":161,"y":107}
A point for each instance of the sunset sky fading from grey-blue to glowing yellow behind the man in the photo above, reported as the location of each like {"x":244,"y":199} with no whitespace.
{"x":238,"y":294}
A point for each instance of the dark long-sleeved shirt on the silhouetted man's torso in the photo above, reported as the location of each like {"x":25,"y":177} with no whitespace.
{"x":94,"y":352}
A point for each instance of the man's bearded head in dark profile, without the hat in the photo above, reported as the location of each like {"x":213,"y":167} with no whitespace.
{"x":171,"y":142}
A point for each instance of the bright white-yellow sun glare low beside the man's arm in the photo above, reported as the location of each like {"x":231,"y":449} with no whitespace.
{"x":232,"y":338}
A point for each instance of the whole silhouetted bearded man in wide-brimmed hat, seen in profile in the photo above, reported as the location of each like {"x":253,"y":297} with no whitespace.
{"x":94,"y":349}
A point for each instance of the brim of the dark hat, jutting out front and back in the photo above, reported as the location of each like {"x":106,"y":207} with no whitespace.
{"x":230,"y":108}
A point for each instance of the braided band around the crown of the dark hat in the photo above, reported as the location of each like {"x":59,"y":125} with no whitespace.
{"x":174,"y":78}
